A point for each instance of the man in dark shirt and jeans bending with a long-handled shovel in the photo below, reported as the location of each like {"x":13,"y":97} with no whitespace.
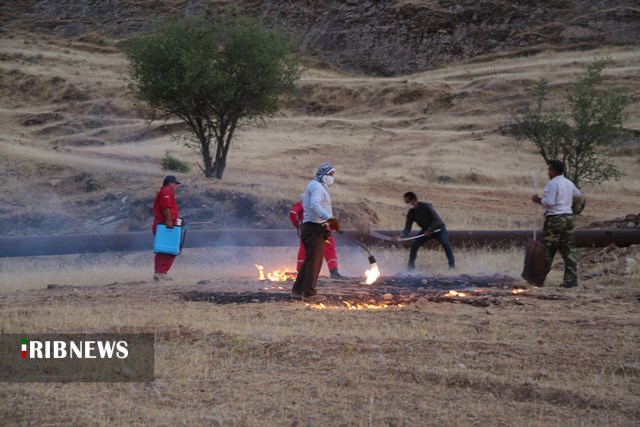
{"x":431,"y":227}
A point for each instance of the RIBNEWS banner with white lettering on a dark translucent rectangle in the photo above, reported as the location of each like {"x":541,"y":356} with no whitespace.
{"x":76,"y":357}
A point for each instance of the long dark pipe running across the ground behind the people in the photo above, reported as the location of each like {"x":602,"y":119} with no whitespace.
{"x":20,"y":246}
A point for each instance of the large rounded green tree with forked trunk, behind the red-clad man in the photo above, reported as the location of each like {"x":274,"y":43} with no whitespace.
{"x":215,"y":75}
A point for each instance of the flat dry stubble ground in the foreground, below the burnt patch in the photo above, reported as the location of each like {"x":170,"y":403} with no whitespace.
{"x":552,"y":357}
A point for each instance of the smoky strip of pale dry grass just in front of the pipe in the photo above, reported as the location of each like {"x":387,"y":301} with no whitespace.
{"x":235,"y":266}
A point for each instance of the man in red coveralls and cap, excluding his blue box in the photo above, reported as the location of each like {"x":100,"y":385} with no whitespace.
{"x":165,"y":211}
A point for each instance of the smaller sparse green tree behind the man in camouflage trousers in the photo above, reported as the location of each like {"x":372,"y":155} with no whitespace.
{"x":580,"y":135}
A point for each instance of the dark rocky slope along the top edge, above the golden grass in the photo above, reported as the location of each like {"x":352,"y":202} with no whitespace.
{"x":388,"y":37}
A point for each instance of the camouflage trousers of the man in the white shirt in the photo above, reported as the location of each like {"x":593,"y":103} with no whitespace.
{"x":559,"y":236}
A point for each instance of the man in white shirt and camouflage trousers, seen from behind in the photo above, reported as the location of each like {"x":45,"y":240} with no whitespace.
{"x":558,"y":231}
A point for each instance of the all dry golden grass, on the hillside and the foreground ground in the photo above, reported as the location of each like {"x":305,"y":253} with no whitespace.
{"x":548,"y":357}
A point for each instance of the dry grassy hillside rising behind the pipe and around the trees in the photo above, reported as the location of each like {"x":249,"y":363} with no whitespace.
{"x":79,"y":156}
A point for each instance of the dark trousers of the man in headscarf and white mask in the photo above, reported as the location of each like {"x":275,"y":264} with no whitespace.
{"x":312,"y":235}
